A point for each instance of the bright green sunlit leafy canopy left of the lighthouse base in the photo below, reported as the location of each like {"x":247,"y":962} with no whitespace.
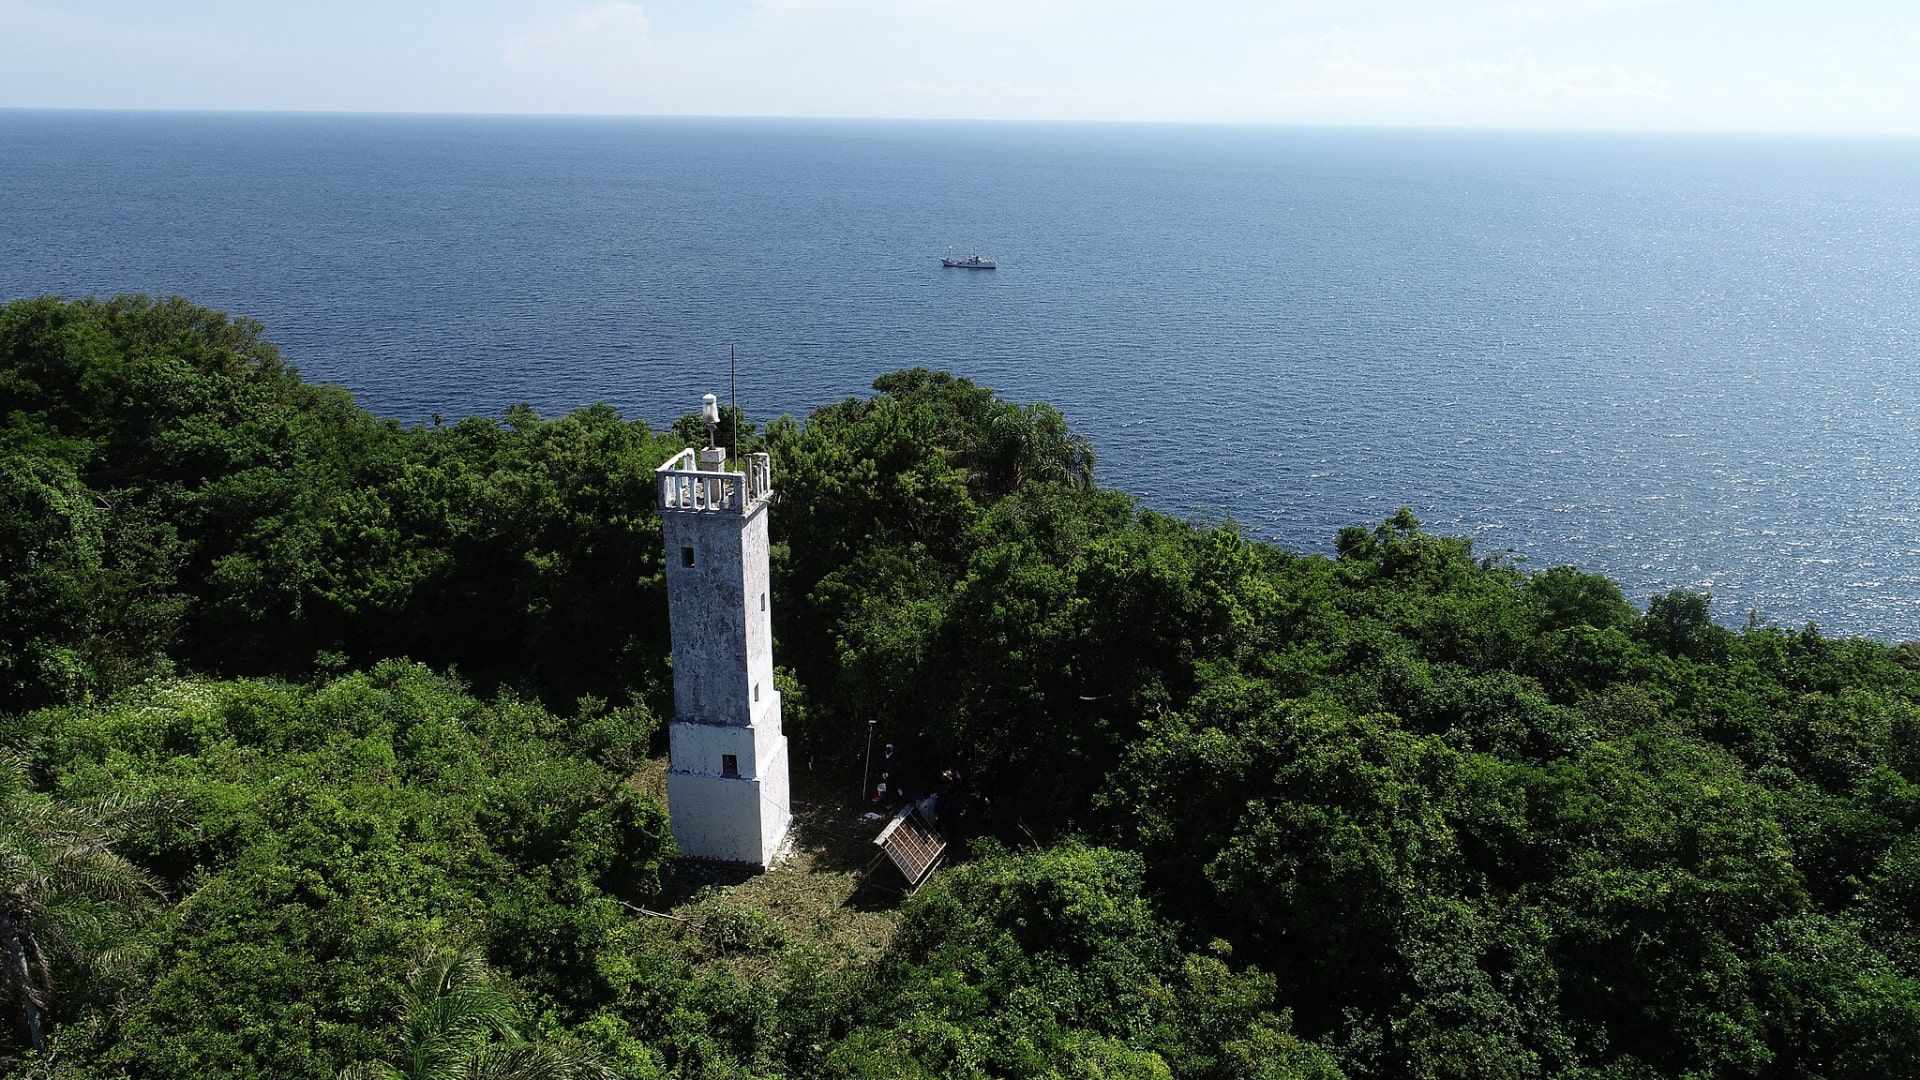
{"x":327,"y":831}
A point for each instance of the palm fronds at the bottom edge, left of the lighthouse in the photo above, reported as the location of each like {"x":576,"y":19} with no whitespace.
{"x":458,"y":1025}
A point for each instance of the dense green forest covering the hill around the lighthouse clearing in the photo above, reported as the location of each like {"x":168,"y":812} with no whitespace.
{"x":318,"y":735}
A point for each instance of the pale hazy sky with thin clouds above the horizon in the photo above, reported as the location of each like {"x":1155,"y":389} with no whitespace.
{"x":1804,"y":66}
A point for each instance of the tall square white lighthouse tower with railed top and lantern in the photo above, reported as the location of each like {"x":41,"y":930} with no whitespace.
{"x":727,"y":789}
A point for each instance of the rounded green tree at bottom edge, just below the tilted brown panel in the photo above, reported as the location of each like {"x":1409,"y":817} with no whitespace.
{"x":1059,"y":964}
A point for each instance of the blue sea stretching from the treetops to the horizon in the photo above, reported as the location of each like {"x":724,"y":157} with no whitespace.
{"x":1687,"y":362}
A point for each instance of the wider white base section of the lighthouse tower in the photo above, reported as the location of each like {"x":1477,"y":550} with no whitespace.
{"x":727,"y":791}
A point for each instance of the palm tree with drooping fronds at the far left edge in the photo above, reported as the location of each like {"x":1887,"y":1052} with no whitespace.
{"x":64,"y":893}
